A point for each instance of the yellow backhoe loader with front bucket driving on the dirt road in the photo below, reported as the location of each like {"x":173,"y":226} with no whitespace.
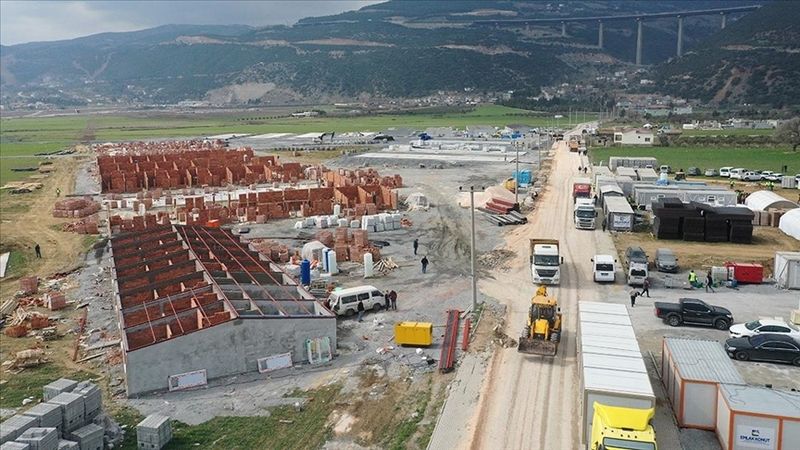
{"x":543,"y":330}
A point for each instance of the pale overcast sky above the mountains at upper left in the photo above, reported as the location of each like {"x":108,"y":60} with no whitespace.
{"x":28,"y":21}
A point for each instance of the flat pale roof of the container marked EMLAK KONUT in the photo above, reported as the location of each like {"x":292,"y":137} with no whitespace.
{"x":762,"y":400}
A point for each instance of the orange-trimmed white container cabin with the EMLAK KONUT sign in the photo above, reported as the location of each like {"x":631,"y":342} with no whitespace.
{"x":749,"y":417}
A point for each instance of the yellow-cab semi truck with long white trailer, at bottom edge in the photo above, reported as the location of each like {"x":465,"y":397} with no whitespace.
{"x":617,"y":401}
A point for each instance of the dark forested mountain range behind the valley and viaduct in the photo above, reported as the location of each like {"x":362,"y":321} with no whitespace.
{"x":403,"y":48}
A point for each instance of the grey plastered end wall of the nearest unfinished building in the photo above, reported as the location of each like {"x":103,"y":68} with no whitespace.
{"x":226,"y":349}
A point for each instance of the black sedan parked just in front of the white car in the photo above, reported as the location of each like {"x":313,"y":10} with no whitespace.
{"x":764,"y":347}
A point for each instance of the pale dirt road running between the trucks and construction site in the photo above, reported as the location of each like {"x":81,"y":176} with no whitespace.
{"x":532,"y":401}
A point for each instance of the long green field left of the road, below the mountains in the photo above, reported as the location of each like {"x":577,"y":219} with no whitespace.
{"x":26,"y":136}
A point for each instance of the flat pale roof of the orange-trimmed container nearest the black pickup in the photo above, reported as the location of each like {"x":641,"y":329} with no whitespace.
{"x":702,"y":360}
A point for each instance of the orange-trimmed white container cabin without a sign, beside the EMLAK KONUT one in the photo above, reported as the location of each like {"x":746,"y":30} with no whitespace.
{"x":691,"y":370}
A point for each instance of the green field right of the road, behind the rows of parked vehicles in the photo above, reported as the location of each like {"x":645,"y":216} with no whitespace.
{"x":708,"y":157}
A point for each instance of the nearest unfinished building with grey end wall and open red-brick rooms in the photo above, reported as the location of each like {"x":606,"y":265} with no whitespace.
{"x":194,"y":303}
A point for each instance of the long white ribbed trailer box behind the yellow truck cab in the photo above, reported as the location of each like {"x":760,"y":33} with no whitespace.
{"x":613,"y":371}
